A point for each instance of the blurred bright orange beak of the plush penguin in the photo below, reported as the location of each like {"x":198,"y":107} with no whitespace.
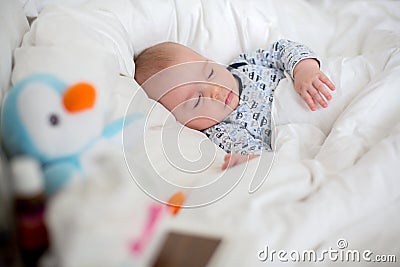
{"x":79,"y":97}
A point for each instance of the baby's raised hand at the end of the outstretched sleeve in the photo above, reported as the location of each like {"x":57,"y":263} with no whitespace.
{"x":312,"y":84}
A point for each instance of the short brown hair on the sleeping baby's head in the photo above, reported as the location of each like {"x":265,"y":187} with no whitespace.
{"x":151,"y":61}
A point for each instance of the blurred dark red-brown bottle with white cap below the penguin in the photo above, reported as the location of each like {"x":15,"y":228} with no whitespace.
{"x":30,"y":204}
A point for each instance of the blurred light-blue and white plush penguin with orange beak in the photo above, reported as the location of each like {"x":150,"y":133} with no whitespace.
{"x":47,"y":119}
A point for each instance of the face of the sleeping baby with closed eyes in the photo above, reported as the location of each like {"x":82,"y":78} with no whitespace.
{"x":200,"y":93}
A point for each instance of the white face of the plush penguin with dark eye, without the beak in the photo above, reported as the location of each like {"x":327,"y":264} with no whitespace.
{"x":53,"y":130}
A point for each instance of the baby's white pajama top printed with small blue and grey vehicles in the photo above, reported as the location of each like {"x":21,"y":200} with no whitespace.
{"x":247,"y":130}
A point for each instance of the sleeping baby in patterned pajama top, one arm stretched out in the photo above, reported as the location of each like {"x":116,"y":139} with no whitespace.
{"x":231,"y":105}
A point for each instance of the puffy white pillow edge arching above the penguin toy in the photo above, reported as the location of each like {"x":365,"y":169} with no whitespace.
{"x":84,"y":26}
